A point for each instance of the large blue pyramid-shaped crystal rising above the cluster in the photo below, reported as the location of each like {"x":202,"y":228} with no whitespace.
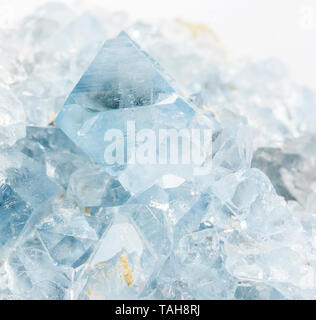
{"x":123,"y":86}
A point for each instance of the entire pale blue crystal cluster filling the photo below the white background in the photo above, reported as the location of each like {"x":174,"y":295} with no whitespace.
{"x":72,"y":227}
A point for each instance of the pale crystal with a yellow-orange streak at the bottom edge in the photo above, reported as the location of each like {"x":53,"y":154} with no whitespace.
{"x":141,"y":243}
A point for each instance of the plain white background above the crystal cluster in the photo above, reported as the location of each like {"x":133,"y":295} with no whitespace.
{"x":285,"y":29}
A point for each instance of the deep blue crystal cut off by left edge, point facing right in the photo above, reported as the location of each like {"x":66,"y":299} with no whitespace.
{"x":26,"y":194}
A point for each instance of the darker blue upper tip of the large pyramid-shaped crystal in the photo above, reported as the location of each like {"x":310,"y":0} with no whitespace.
{"x":120,"y":76}
